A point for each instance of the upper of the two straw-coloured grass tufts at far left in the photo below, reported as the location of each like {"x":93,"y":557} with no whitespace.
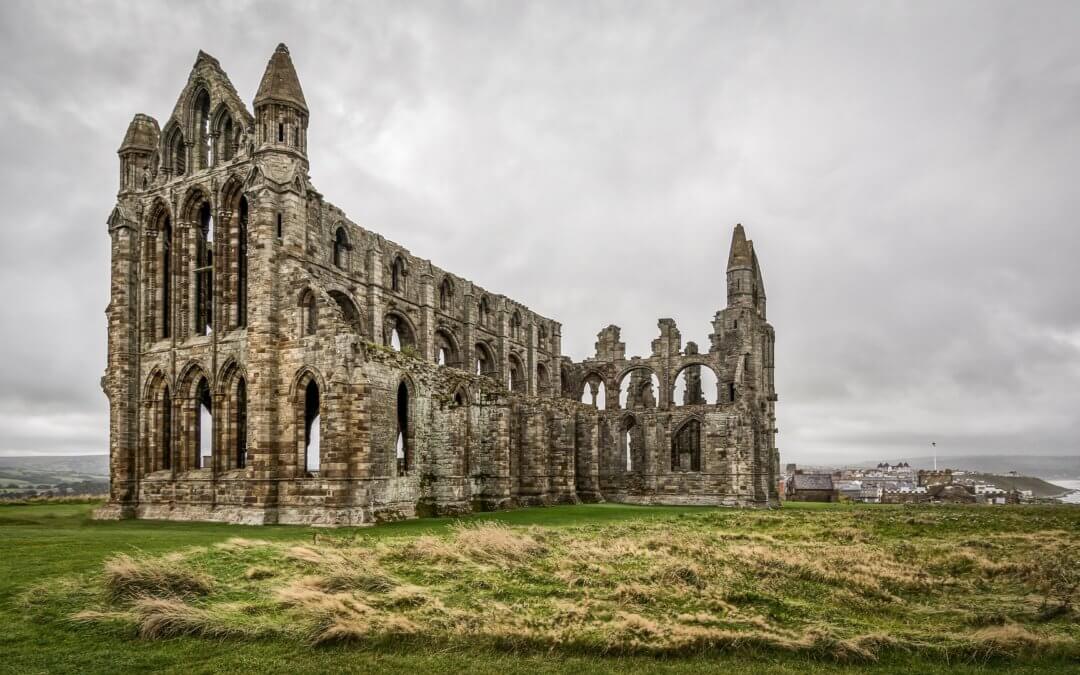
{"x":128,"y":578}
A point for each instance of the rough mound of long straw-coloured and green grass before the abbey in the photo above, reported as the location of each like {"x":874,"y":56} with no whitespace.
{"x":840,"y":586}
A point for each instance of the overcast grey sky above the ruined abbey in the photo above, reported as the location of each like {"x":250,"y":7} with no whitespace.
{"x":910,"y":173}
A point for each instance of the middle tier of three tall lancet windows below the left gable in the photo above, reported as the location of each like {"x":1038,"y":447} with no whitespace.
{"x":185,"y":263}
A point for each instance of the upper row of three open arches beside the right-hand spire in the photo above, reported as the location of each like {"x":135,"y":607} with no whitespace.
{"x":695,"y":384}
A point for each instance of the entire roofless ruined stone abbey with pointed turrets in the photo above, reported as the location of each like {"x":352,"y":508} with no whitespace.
{"x":271,"y":361}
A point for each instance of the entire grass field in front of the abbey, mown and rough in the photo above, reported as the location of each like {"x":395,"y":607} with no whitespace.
{"x":580,"y":589}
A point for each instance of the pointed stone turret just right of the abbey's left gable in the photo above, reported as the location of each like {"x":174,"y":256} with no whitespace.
{"x":281,"y":112}
